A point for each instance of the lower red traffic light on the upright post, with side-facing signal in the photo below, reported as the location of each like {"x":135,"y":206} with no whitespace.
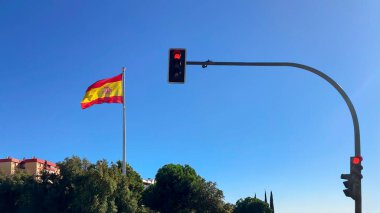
{"x":353,"y":180}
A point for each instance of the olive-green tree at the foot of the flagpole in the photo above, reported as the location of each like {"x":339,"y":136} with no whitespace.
{"x":102,"y":187}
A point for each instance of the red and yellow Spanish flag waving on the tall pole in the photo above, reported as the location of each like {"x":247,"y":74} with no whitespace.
{"x":109,"y":90}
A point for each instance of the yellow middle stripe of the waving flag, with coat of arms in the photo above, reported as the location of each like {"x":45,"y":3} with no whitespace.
{"x":114,"y":88}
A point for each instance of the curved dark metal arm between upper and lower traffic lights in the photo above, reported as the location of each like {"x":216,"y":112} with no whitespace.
{"x":301,"y":66}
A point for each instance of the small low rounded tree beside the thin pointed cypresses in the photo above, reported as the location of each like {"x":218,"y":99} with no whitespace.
{"x":251,"y":205}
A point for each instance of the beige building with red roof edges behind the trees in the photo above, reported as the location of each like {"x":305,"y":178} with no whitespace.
{"x":32,"y":166}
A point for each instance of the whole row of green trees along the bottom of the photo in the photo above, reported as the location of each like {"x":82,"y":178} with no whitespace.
{"x":101,"y":187}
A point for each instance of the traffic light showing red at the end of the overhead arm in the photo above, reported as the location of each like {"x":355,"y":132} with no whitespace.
{"x":177,"y":63}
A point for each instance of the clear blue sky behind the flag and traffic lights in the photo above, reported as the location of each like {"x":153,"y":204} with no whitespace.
{"x":248,"y":129}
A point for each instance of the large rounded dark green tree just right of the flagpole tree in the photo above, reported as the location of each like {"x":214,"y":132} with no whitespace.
{"x":179,"y":189}
